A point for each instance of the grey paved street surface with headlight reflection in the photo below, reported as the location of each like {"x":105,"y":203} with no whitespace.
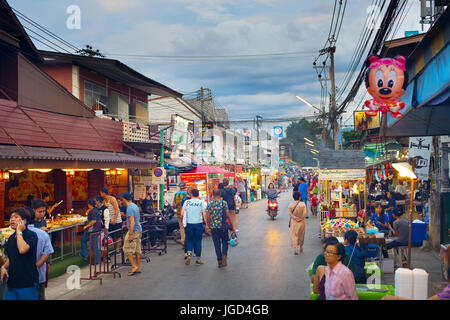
{"x":262,"y":266}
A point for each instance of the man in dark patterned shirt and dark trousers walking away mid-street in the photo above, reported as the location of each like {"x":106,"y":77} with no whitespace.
{"x":216,"y":216}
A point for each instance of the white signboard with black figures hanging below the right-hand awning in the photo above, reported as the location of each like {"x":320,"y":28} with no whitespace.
{"x":419,"y":151}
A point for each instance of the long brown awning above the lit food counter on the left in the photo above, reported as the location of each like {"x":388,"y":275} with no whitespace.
{"x":24,"y":157}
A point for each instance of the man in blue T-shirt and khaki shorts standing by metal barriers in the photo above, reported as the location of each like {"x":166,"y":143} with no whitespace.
{"x":132,"y":242}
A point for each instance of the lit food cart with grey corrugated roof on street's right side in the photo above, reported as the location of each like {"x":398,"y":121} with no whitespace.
{"x":342,"y":180}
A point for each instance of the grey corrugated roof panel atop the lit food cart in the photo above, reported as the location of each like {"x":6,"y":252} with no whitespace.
{"x":341,"y":159}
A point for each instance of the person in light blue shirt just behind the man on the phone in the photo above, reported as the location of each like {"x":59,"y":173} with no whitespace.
{"x":43,"y":252}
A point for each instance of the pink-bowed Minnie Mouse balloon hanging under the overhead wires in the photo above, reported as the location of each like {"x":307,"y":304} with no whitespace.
{"x":386,"y":80}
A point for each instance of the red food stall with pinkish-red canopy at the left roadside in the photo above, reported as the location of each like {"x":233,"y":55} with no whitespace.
{"x":206,"y":178}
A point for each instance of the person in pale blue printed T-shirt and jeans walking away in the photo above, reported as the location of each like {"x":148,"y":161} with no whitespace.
{"x":192,"y":213}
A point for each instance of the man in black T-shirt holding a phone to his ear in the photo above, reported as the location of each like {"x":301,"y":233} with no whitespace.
{"x":20,"y":269}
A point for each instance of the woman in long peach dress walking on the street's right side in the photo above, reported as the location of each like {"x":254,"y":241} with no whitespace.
{"x":297,"y":226}
